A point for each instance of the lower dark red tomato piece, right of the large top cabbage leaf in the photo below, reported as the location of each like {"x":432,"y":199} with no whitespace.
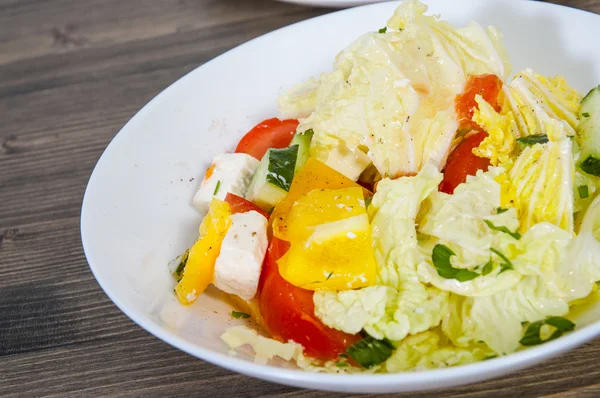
{"x":462,"y":162}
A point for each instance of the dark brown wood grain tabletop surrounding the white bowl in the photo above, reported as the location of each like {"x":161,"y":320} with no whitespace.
{"x":72,"y":73}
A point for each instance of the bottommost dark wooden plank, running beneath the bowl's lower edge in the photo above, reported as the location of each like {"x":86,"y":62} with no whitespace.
{"x":135,"y":363}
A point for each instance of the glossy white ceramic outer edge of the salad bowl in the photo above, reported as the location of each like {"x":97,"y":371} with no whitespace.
{"x":355,"y":383}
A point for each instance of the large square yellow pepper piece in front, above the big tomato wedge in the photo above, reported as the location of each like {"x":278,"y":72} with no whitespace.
{"x":330,"y":241}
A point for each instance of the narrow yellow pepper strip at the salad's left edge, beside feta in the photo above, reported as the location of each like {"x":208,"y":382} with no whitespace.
{"x":199,"y":269}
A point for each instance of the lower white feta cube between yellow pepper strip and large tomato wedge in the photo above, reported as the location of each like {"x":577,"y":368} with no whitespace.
{"x":238,"y":266}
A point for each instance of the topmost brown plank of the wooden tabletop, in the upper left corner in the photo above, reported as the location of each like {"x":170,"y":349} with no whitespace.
{"x":65,"y":26}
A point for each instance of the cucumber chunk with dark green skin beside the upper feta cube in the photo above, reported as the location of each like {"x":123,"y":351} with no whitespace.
{"x":272,"y":179}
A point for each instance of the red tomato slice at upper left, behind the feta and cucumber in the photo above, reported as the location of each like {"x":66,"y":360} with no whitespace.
{"x":270,"y":133}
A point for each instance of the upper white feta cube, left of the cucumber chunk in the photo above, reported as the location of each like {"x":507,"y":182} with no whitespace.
{"x":229,"y":172}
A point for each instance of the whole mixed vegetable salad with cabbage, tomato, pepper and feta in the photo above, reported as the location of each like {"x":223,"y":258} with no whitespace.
{"x":416,"y":207}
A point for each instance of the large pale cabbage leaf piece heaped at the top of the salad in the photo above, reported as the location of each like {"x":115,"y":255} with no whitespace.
{"x":392,"y":95}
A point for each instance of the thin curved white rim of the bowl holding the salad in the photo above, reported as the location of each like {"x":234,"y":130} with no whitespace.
{"x":412,"y":380}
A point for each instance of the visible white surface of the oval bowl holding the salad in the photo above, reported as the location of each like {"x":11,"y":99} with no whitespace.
{"x":136,"y":213}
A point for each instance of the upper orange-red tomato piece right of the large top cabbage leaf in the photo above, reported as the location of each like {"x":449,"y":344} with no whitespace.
{"x":488,"y":86}
